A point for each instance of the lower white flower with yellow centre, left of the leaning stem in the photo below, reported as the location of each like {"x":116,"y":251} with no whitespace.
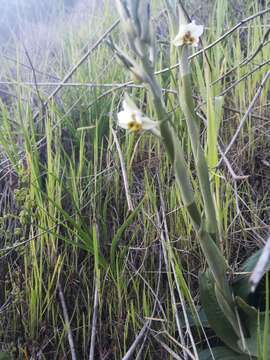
{"x":131,"y":118}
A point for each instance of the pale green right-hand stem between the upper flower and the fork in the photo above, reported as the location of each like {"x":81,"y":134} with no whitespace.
{"x":187,"y":104}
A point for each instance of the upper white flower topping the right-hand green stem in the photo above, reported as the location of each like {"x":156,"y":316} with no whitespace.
{"x":188,"y":34}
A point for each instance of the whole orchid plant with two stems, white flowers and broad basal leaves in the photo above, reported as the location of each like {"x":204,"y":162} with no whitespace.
{"x":226,"y":305}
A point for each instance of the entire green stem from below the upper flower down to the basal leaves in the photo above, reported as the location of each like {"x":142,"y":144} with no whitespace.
{"x":213,"y":255}
